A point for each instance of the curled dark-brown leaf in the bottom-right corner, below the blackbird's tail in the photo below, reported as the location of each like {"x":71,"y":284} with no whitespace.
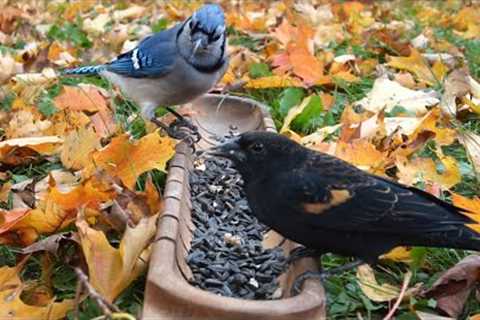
{"x":452,"y":289}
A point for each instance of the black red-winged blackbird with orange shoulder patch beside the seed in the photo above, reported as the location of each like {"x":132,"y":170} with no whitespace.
{"x":328,"y":205}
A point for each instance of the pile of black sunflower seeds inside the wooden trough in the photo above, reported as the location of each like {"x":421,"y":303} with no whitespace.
{"x":226,"y":256}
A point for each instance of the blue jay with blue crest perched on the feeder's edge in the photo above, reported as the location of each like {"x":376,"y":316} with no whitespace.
{"x":173,"y":66}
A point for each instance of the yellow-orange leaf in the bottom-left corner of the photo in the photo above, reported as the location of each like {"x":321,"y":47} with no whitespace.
{"x":12,"y":306}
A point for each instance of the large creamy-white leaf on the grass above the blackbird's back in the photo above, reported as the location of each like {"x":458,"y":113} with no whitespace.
{"x":386,"y":94}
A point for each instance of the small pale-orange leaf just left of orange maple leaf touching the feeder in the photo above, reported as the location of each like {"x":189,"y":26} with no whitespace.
{"x":77,"y":148}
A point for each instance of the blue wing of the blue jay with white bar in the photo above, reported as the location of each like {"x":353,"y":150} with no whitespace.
{"x":154,"y":57}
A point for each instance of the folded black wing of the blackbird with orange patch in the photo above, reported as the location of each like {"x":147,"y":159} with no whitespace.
{"x":334,"y":194}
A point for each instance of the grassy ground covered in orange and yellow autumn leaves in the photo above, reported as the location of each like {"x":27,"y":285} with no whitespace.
{"x":391,"y":87}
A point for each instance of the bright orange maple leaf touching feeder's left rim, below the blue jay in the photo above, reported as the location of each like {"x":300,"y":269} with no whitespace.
{"x":128,"y":159}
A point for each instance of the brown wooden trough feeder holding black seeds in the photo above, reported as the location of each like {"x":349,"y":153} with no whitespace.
{"x":169,"y":295}
